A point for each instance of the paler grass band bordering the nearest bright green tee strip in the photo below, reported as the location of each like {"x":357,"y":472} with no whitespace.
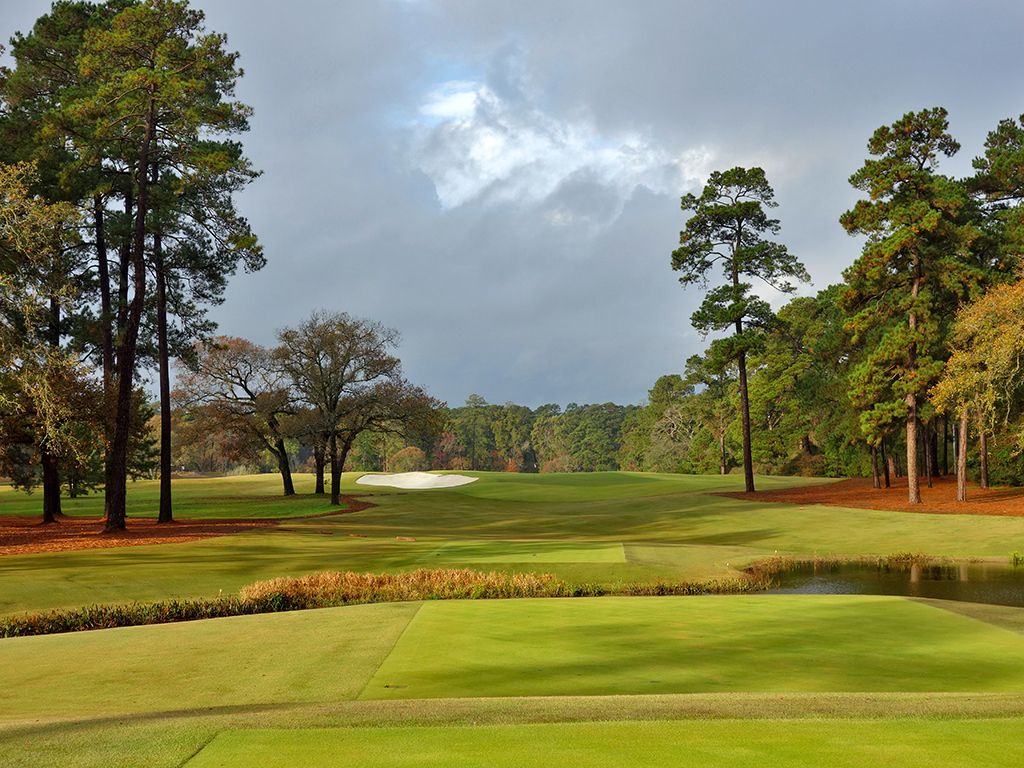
{"x":168,"y":740}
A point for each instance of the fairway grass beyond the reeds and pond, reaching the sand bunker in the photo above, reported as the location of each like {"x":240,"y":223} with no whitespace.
{"x":609,"y":529}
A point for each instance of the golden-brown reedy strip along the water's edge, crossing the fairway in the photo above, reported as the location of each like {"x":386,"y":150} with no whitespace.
{"x":334,"y":589}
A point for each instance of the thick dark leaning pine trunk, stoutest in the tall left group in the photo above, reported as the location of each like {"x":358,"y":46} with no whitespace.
{"x":117,"y":490}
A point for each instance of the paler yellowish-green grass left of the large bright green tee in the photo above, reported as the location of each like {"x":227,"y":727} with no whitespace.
{"x":278,"y":659}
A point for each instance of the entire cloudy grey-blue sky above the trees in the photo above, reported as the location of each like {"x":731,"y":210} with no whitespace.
{"x":500,"y":182}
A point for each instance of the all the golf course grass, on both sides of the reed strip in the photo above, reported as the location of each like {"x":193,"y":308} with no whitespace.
{"x":158,"y":696}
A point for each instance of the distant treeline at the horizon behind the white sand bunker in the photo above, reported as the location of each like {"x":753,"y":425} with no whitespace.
{"x":476,"y":437}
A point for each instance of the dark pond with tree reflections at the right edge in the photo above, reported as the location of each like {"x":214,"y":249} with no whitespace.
{"x":1001,"y":584}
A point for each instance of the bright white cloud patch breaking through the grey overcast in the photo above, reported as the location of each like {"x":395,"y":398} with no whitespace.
{"x":479,"y":147}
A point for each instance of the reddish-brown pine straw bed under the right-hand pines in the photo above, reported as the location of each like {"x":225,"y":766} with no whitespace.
{"x":859,"y":494}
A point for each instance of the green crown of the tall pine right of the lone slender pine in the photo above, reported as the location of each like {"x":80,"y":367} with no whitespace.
{"x":920,"y":261}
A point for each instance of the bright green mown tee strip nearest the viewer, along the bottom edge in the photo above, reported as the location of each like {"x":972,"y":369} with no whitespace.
{"x":687,"y":744}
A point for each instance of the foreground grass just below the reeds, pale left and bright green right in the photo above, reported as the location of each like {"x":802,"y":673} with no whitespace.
{"x":510,"y":649}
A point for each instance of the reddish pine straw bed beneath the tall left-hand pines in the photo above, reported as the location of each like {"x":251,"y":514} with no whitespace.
{"x":24,"y":536}
